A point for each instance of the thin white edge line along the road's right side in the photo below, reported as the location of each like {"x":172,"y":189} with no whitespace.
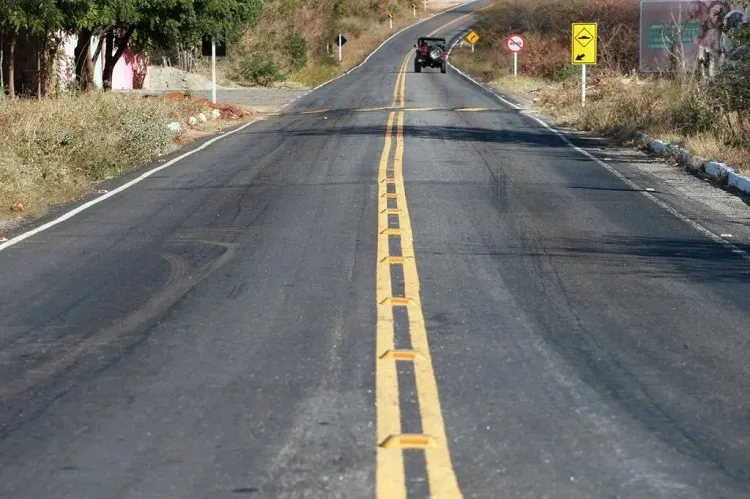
{"x":669,"y":209}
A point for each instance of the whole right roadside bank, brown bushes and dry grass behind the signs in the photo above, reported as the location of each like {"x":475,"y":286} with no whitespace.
{"x":709,"y":116}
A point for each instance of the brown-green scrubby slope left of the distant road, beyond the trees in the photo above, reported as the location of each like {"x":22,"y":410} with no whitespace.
{"x":294,"y":39}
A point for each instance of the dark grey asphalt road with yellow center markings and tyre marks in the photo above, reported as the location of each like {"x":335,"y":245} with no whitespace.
{"x":370,"y":301}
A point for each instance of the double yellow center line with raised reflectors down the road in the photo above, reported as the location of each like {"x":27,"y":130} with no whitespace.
{"x":394,"y":222}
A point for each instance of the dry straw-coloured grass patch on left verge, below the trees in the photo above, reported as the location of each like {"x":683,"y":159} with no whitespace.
{"x":53,"y":151}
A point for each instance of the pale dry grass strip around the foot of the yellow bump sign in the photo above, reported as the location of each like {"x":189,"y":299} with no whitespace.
{"x":618,"y":107}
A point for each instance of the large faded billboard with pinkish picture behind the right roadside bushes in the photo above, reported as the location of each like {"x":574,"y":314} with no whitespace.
{"x":689,"y":26}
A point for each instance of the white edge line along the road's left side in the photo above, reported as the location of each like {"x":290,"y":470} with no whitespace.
{"x":70,"y":214}
